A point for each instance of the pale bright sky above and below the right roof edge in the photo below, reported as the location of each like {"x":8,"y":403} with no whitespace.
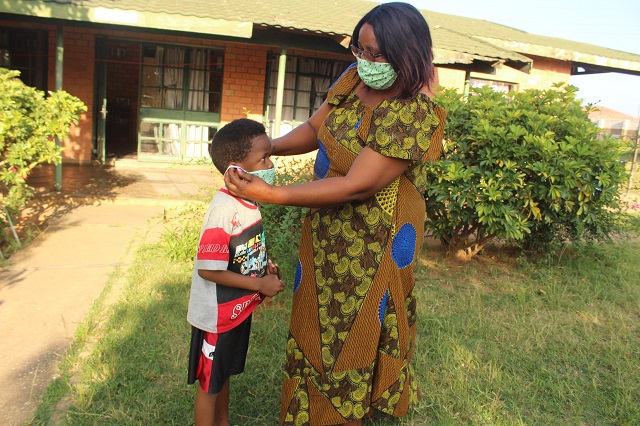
{"x":612,"y":23}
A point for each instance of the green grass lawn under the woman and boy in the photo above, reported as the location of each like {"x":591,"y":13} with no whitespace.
{"x":502,"y":340}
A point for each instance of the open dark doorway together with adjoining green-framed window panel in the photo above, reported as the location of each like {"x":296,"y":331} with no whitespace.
{"x":162,"y":102}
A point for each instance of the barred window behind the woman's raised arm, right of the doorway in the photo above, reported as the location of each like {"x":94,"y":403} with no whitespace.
{"x":306,"y":84}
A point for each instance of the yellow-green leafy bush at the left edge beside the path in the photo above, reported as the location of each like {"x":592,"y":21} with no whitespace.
{"x":29,"y":121}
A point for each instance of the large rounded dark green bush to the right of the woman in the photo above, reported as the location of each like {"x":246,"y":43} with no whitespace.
{"x":524,"y":166}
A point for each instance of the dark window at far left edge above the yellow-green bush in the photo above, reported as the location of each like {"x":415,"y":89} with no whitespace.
{"x":25,"y":51}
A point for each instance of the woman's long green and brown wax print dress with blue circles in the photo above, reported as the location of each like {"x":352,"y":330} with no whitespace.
{"x":353,"y":323}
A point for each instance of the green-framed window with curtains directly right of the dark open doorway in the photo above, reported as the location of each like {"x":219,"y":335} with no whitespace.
{"x":181,"y":97}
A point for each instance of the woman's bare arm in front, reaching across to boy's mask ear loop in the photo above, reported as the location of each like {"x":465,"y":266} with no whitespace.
{"x":369,"y":173}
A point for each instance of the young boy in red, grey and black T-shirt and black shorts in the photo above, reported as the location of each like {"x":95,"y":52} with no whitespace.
{"x":231,"y":274}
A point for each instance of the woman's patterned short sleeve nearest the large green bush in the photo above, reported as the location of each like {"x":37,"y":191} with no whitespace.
{"x":405,"y":128}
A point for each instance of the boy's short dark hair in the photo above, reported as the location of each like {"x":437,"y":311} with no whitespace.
{"x":233,"y":142}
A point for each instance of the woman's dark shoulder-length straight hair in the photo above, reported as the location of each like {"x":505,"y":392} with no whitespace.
{"x":404,"y":38}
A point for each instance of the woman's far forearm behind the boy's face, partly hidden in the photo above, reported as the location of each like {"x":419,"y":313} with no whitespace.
{"x":303,"y":138}
